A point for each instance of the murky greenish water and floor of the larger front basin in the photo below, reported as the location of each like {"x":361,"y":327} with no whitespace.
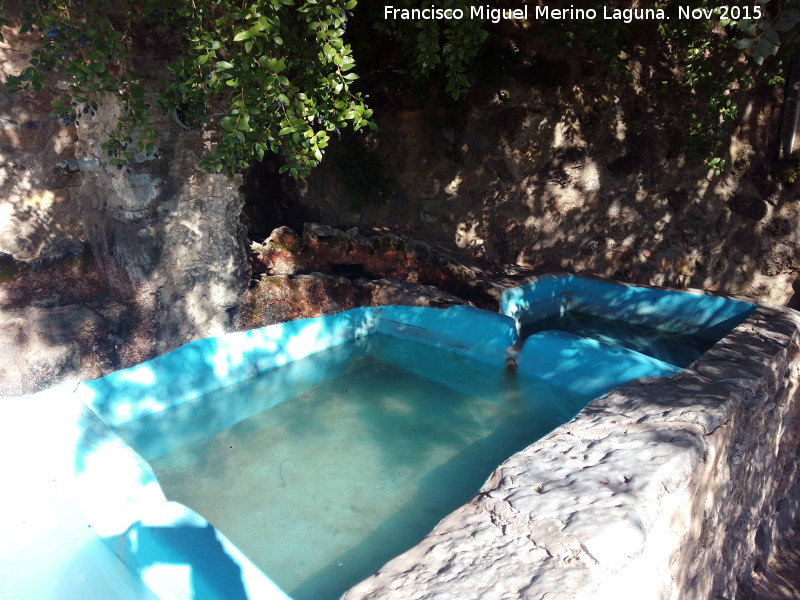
{"x":324,"y":488}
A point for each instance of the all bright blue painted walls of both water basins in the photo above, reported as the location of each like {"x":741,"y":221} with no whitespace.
{"x":121,"y":494}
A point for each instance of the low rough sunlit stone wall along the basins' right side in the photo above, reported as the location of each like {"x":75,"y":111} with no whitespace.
{"x":664,"y":488}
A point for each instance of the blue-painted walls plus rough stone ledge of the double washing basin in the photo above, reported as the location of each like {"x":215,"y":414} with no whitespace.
{"x":629,"y":491}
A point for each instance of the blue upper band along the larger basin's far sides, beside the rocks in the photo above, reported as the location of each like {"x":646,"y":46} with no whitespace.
{"x":206,"y":365}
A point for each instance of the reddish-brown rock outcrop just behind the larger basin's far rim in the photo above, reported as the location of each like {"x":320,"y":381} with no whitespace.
{"x":326,"y":270}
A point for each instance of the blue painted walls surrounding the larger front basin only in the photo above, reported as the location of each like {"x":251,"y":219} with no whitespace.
{"x":118,"y":489}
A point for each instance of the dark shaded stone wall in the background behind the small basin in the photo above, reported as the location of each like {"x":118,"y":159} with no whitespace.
{"x":549,"y":164}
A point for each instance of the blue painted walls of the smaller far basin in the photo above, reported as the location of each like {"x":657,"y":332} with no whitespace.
{"x":593,"y":367}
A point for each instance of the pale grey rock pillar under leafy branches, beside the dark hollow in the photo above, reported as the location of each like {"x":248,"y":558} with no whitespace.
{"x":167,"y":235}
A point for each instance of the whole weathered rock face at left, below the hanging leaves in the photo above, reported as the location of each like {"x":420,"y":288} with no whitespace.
{"x":147,"y":256}
